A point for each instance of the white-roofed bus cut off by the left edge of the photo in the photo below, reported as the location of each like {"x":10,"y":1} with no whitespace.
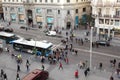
{"x":8,"y":37}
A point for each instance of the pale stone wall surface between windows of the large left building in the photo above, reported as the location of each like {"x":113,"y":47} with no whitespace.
{"x":59,"y":19}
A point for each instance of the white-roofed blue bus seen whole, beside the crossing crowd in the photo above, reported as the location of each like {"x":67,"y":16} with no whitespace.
{"x":42,"y":48}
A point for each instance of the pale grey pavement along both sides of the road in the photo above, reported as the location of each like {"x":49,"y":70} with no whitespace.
{"x":10,"y":66}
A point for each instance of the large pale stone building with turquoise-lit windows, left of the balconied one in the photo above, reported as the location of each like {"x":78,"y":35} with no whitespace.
{"x":51,"y":13}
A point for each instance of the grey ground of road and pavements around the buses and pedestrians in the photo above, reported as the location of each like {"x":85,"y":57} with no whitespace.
{"x":101,"y":54}
